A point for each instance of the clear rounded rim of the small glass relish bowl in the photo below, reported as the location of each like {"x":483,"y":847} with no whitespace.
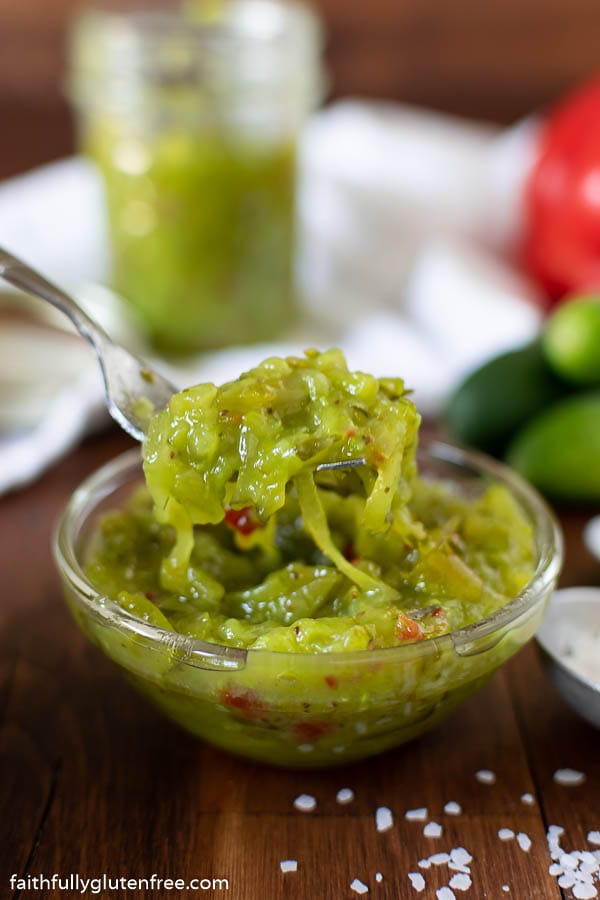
{"x":102,"y":483}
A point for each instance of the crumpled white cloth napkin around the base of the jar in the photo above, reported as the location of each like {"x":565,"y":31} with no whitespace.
{"x":408,"y":225}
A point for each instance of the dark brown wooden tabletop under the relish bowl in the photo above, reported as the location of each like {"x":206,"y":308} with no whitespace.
{"x":93,"y":780}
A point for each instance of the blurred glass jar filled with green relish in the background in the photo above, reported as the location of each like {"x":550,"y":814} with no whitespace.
{"x":193,"y":120}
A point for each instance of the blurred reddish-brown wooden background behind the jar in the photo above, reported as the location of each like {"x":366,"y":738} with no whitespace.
{"x":493,"y":60}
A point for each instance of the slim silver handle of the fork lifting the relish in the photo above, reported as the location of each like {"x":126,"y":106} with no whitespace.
{"x":21,"y":276}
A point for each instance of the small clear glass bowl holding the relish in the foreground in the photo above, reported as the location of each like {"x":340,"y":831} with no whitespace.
{"x":296,"y":709}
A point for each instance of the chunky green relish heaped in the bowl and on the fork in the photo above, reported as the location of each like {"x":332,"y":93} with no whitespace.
{"x":239,"y":538}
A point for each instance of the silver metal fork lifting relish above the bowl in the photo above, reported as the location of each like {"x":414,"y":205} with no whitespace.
{"x":133,"y":390}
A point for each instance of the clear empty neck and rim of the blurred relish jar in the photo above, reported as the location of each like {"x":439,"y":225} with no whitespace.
{"x":262,"y":51}
